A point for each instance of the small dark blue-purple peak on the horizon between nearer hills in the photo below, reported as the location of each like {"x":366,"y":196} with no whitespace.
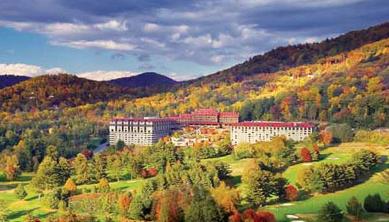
{"x":144,"y":80}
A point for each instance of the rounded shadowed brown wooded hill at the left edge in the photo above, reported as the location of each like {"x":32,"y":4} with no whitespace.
{"x":62,"y":90}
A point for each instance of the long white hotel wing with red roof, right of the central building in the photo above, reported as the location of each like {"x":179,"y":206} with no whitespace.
{"x":256,"y":131}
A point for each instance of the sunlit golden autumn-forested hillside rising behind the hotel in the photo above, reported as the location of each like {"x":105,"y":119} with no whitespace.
{"x":350,"y":87}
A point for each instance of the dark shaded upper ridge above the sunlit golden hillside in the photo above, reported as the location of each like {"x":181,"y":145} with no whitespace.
{"x":286,"y":57}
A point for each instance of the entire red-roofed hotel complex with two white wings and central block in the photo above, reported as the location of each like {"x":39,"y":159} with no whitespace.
{"x":147,"y":131}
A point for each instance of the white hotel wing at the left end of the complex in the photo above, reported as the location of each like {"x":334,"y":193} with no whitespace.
{"x":139,"y":131}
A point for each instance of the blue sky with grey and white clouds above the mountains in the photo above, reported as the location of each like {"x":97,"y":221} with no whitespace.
{"x":101,"y":39}
